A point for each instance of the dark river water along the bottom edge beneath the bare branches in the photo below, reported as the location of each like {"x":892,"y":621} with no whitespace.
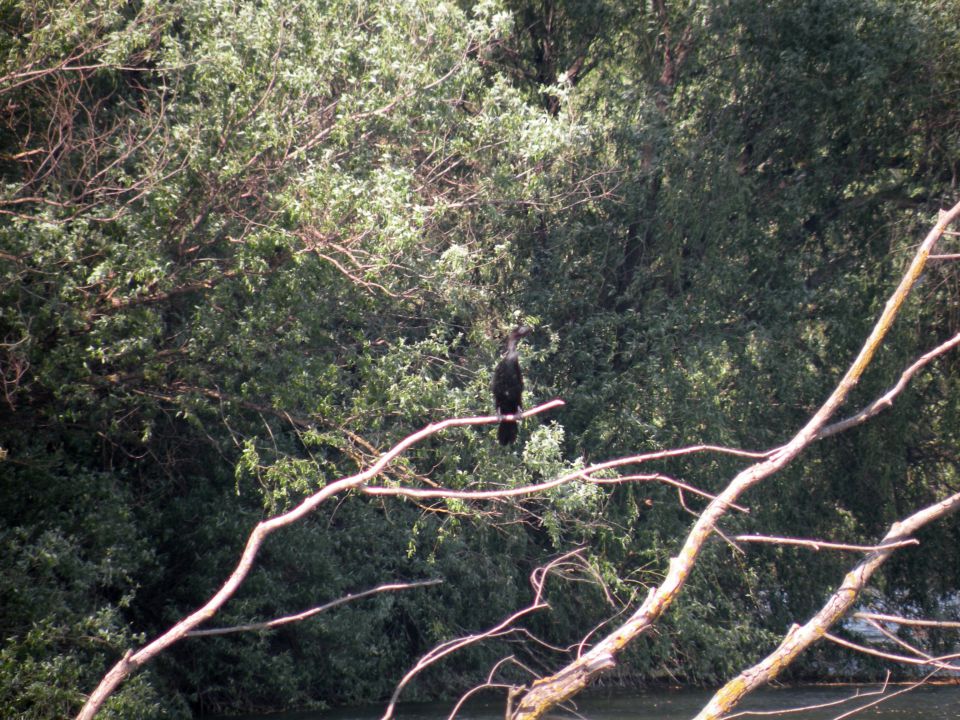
{"x":821,"y":703}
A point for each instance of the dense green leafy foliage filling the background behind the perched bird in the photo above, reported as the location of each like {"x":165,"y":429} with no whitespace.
{"x":244,"y":247}
